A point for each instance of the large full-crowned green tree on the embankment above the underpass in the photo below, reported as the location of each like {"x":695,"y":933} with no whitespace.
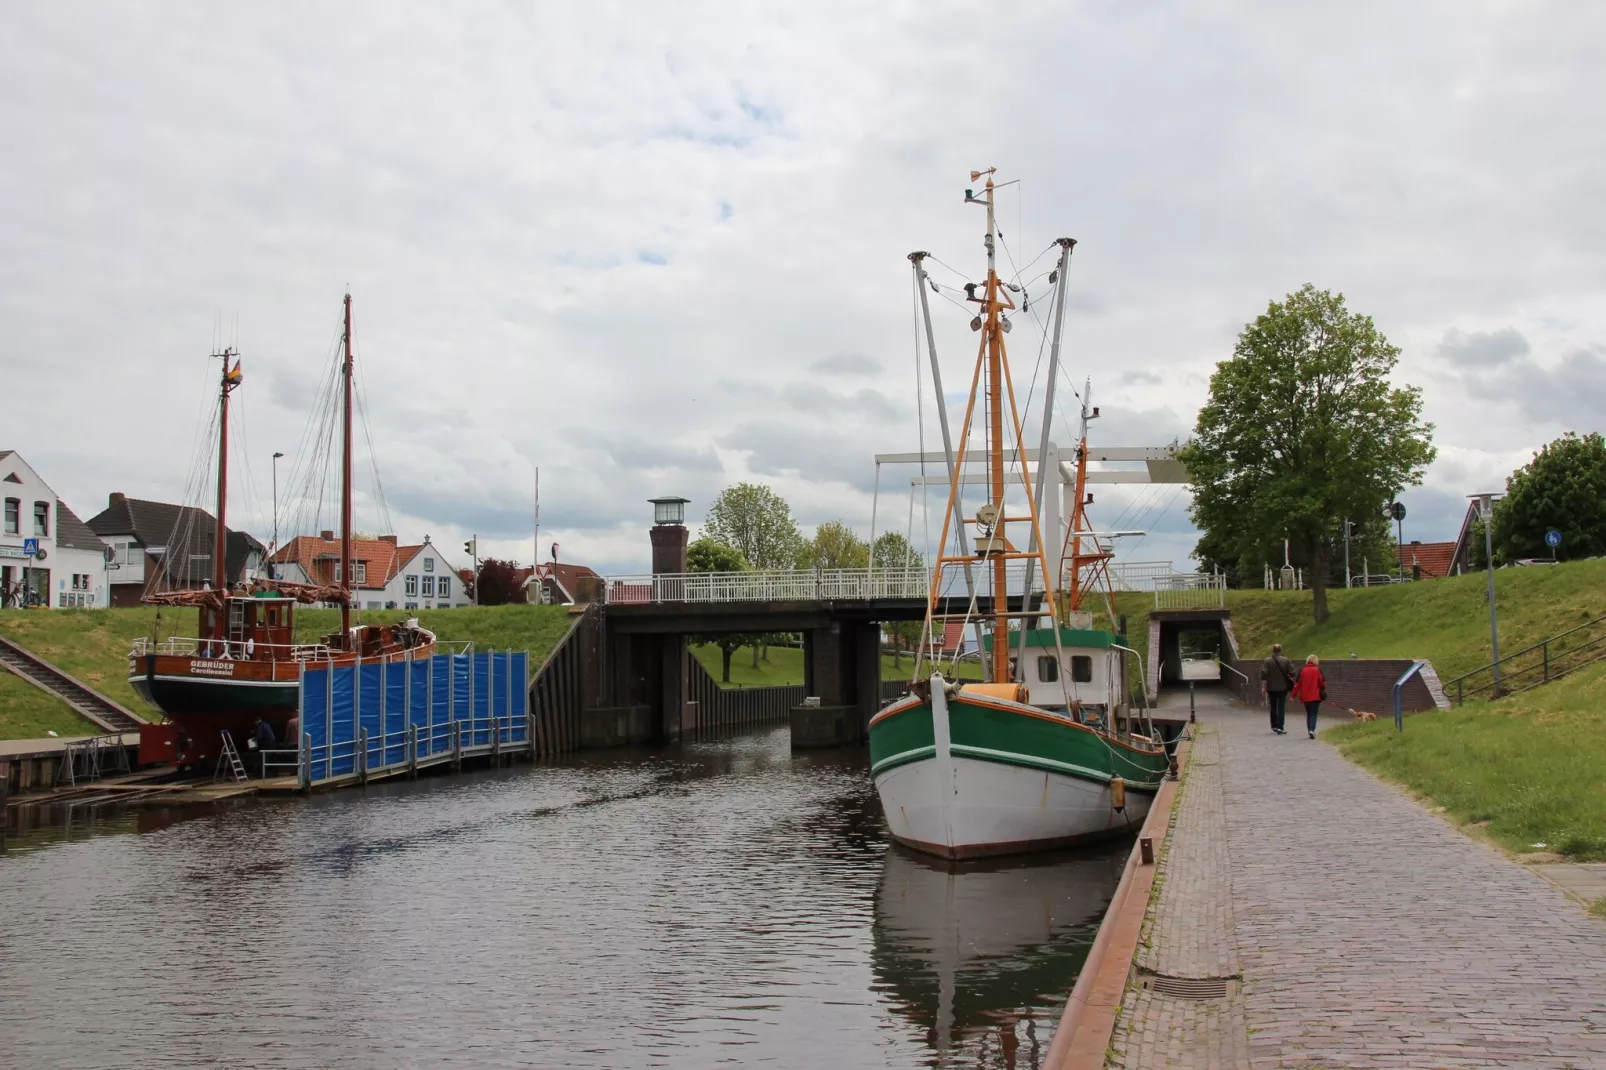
{"x":1303,"y":430}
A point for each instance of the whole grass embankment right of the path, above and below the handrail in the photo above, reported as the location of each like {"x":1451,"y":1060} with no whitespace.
{"x":1533,"y":766}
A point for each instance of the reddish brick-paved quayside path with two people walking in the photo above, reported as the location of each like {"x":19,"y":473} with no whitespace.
{"x":1369,"y":931}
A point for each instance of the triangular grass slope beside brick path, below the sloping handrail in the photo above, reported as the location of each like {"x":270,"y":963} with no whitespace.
{"x":1533,"y":766}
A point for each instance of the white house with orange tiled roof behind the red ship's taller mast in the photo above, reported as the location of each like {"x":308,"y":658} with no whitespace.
{"x":386,"y":574}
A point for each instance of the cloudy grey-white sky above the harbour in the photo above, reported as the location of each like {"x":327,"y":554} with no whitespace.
{"x":661,"y":248}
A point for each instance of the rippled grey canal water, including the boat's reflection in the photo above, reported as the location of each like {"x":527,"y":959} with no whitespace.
{"x":720,"y":904}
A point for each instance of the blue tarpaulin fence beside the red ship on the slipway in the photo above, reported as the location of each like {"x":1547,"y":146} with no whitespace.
{"x":373,"y":717}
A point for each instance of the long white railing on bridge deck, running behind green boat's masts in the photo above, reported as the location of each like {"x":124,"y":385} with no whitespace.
{"x":791,"y":586}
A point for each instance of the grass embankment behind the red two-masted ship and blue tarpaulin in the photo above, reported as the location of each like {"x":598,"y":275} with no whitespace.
{"x":94,"y":647}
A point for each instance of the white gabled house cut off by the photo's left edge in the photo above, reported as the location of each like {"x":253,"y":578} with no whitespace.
{"x":47,"y":555}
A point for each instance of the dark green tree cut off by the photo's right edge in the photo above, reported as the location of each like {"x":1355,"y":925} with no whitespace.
{"x":1563,"y":488}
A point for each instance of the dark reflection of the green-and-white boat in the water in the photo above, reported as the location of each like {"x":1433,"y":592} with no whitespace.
{"x":982,"y":955}
